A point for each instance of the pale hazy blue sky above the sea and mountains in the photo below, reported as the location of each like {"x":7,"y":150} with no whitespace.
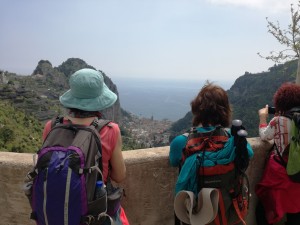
{"x":171,"y":39}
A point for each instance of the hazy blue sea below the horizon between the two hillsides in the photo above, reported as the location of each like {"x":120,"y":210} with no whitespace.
{"x":162,"y":99}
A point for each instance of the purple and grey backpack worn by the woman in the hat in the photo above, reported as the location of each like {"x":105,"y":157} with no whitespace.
{"x":65,"y":175}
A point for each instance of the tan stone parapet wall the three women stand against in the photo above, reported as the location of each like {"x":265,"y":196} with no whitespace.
{"x":148,"y":187}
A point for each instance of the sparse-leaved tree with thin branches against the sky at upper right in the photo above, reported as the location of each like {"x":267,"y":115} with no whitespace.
{"x":289,"y":38}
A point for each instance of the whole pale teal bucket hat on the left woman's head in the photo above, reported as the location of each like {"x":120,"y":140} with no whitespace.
{"x":88,"y":92}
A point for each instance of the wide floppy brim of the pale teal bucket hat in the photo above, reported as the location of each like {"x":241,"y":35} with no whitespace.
{"x":105,"y":100}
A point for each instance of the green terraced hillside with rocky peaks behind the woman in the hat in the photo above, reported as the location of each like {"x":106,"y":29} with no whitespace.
{"x":36,"y":97}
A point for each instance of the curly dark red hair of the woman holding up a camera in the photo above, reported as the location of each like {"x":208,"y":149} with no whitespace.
{"x":286,"y":97}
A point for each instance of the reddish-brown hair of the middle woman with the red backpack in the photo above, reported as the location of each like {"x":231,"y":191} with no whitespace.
{"x":211,"y":106}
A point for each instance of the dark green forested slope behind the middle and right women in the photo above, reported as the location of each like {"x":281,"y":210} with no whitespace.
{"x":248,"y":94}
